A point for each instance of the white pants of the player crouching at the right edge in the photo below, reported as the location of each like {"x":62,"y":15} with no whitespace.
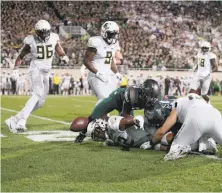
{"x":200,"y":121}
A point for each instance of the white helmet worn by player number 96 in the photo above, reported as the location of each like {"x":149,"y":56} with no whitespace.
{"x":42,"y":29}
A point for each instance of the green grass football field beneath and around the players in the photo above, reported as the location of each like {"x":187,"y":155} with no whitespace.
{"x":31,"y":166}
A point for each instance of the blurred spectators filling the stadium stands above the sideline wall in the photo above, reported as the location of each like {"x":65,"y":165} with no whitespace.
{"x":158,"y":35}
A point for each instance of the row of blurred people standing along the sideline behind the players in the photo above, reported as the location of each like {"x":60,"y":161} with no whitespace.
{"x":66,"y":84}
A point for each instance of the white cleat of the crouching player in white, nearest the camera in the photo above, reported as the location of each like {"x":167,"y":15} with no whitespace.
{"x":177,"y":152}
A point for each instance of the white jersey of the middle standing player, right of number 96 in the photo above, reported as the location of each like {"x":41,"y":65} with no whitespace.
{"x":104,"y":55}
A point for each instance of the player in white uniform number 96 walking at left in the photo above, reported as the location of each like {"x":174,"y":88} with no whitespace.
{"x":42,"y":47}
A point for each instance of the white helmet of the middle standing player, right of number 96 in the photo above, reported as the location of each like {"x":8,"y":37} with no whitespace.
{"x":110,"y":32}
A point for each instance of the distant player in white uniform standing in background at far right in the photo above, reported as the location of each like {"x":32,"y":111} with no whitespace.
{"x":206,"y":64}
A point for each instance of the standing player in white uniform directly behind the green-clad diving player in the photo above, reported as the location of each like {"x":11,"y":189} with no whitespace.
{"x":102,"y":54}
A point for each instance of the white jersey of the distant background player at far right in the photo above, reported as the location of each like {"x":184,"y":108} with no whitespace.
{"x":204,"y":66}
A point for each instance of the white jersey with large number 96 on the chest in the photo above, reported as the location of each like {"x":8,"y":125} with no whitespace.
{"x":42,"y":52}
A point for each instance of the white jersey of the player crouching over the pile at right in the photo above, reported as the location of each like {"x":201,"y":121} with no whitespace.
{"x":183,"y":104}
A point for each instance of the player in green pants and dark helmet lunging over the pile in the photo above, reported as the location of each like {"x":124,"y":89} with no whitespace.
{"x":125,"y":100}
